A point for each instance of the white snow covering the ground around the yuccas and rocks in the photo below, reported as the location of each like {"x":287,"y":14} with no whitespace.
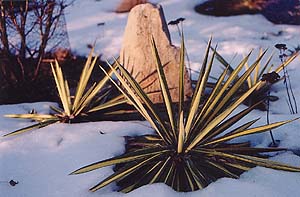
{"x":41,"y":160}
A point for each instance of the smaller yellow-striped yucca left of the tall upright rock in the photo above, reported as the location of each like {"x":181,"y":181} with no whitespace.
{"x":86,"y":100}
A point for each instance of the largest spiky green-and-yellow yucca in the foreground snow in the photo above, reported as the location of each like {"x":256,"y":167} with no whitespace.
{"x":191,"y":146}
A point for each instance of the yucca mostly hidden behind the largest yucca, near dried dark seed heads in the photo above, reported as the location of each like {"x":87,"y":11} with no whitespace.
{"x":263,"y":72}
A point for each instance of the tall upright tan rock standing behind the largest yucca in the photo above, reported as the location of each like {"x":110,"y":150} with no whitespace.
{"x":136,"y":54}
